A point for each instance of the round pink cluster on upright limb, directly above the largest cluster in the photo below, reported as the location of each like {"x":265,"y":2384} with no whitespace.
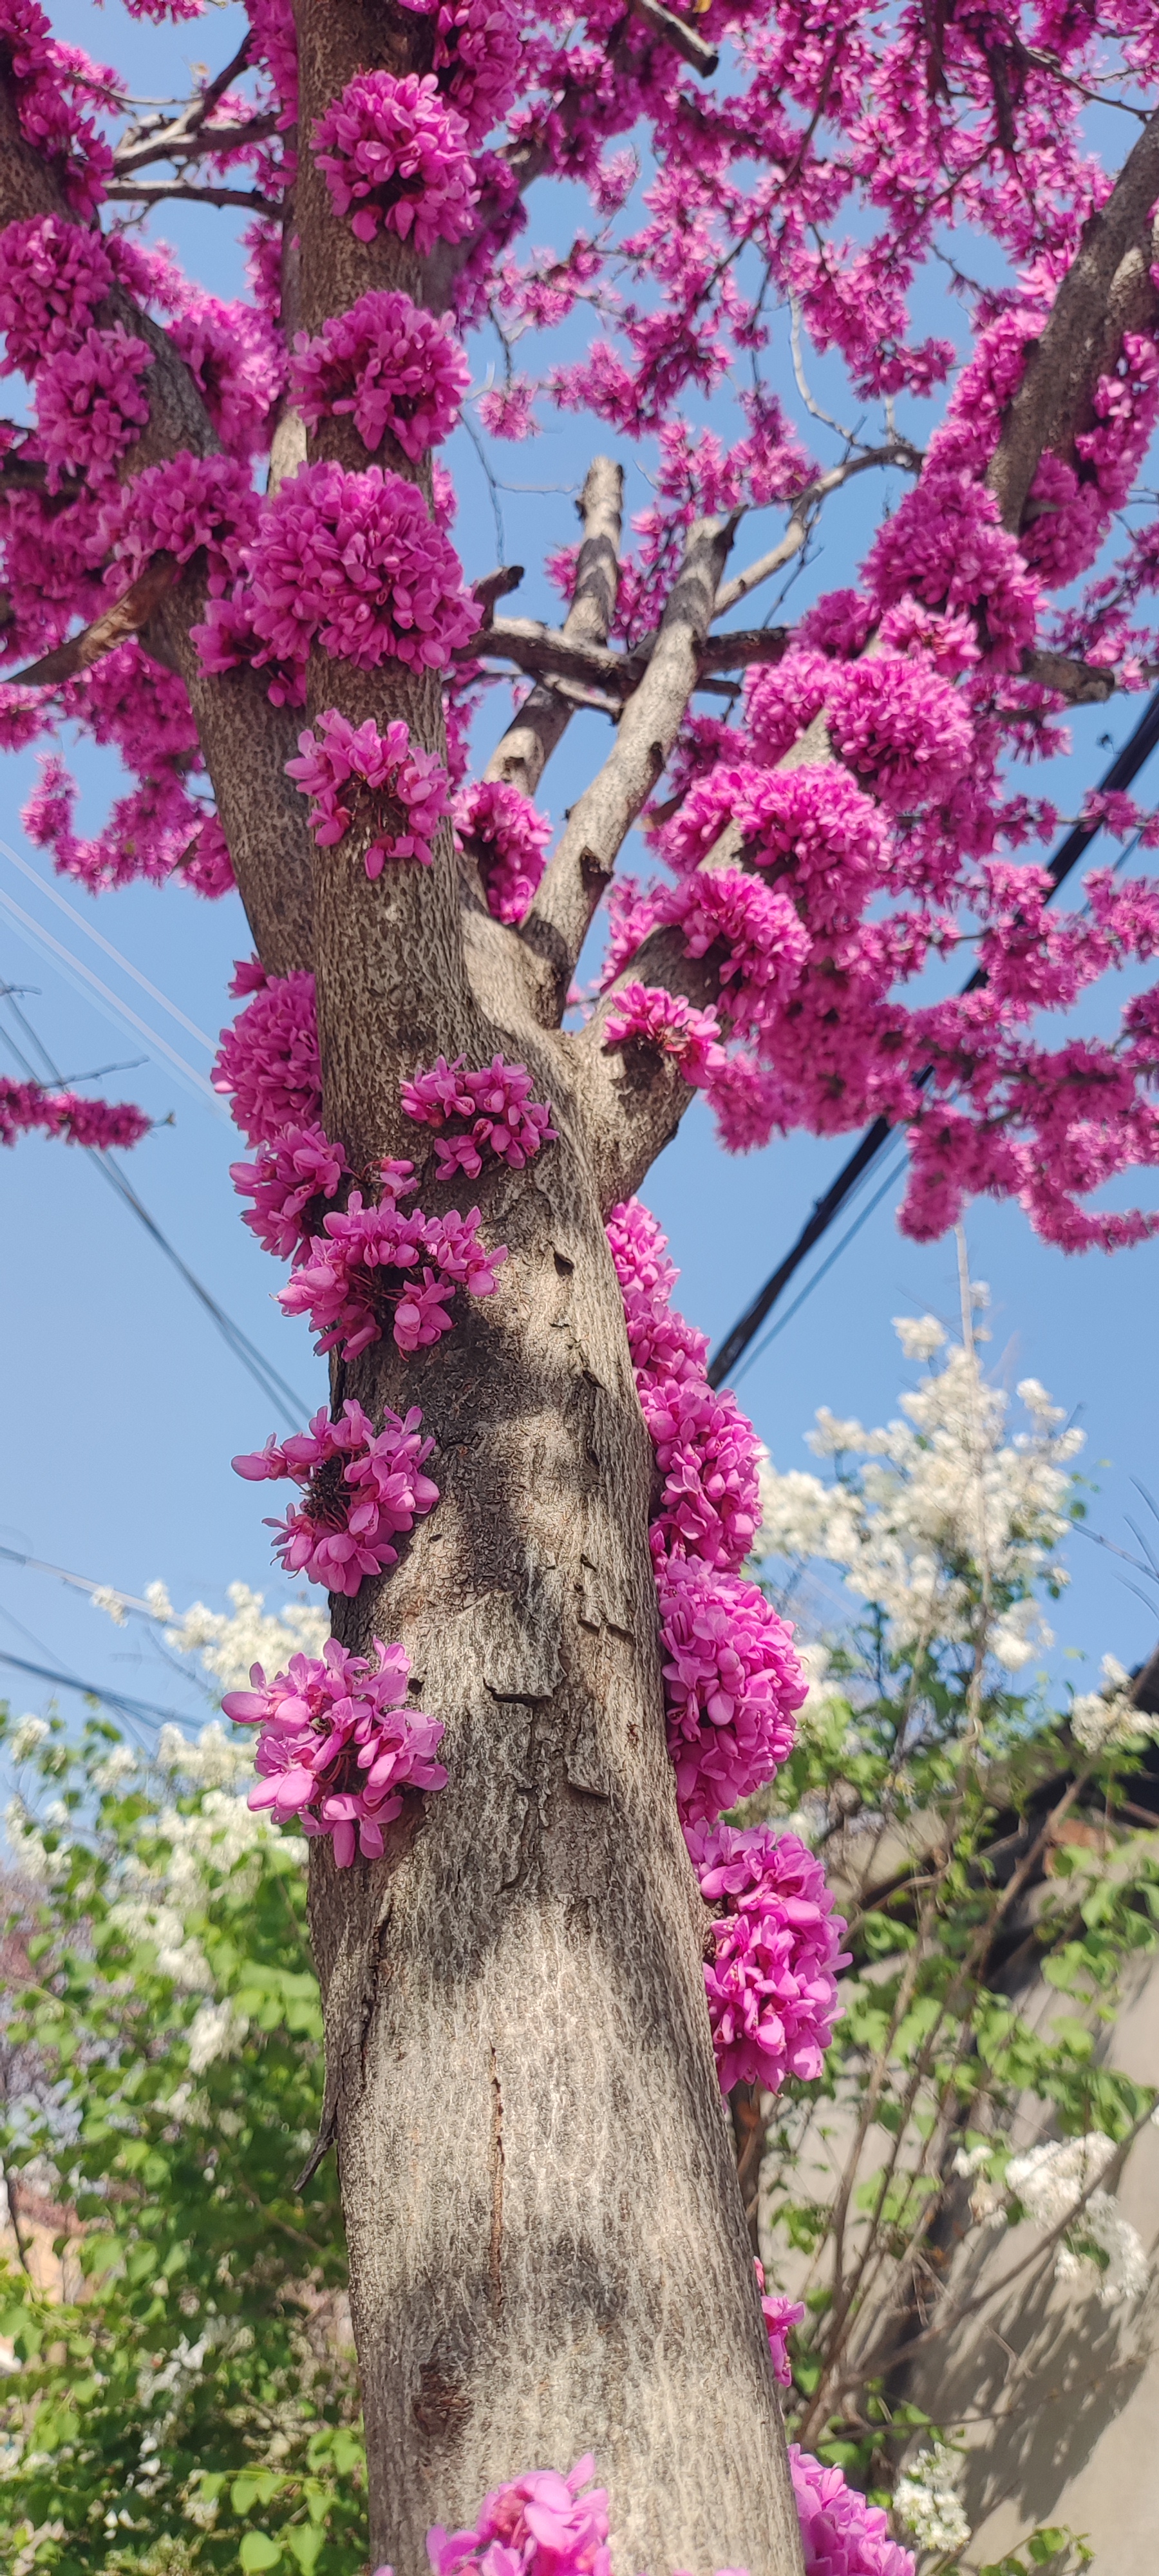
{"x":390,"y":365}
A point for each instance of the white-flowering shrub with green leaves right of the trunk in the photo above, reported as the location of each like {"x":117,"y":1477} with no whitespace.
{"x":954,"y":1815}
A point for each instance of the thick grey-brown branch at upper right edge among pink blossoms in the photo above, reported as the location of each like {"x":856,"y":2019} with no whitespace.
{"x":1104,"y":295}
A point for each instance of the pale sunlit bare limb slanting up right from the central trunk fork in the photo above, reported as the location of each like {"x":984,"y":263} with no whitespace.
{"x":596,"y":826}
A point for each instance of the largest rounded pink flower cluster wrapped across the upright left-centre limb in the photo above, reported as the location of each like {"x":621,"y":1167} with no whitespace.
{"x":357,"y":563}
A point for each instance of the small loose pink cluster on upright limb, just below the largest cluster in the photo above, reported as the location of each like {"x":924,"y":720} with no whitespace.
{"x":354,"y":774}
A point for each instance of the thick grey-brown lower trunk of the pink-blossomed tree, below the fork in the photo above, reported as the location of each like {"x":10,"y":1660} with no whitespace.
{"x":547,"y":2242}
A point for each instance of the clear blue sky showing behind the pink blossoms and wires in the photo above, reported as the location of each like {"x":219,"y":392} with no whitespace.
{"x":122,"y":1405}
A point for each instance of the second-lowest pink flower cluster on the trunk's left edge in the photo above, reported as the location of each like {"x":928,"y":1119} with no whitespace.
{"x":362,"y":1493}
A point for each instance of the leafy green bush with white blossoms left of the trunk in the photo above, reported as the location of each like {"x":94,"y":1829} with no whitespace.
{"x":189,"y":2405}
